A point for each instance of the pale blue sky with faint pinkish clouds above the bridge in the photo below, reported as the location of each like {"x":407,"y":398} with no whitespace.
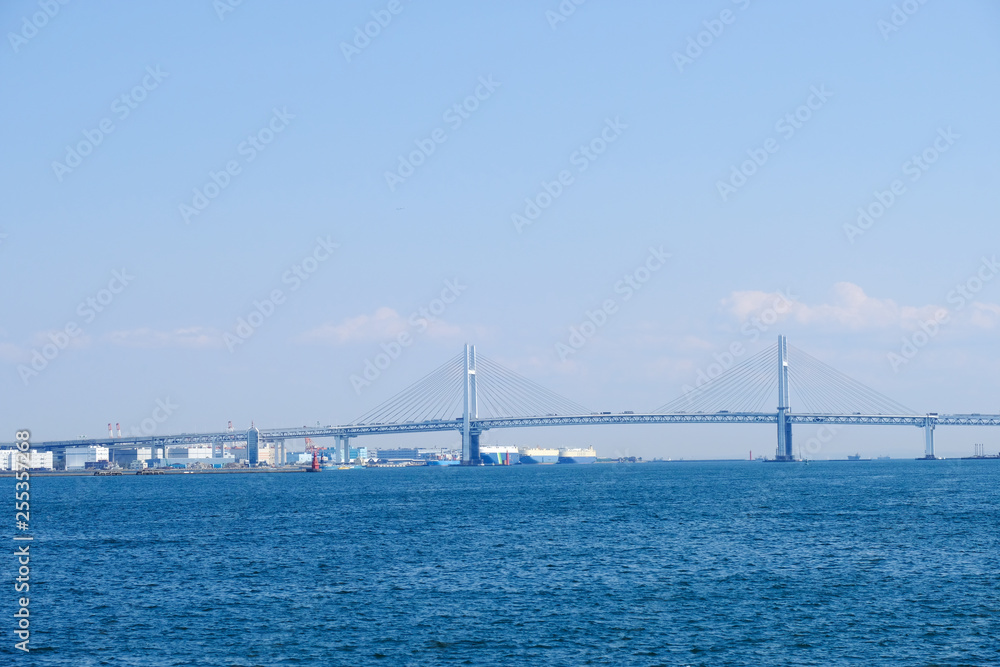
{"x":206,"y":89}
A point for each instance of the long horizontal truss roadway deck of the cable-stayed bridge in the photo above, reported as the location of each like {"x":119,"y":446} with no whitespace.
{"x":483,"y":424}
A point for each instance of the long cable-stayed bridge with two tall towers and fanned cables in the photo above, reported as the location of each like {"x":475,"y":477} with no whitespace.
{"x":471,"y":394}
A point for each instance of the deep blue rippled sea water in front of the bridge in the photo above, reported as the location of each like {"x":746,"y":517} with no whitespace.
{"x":716,"y":563}
